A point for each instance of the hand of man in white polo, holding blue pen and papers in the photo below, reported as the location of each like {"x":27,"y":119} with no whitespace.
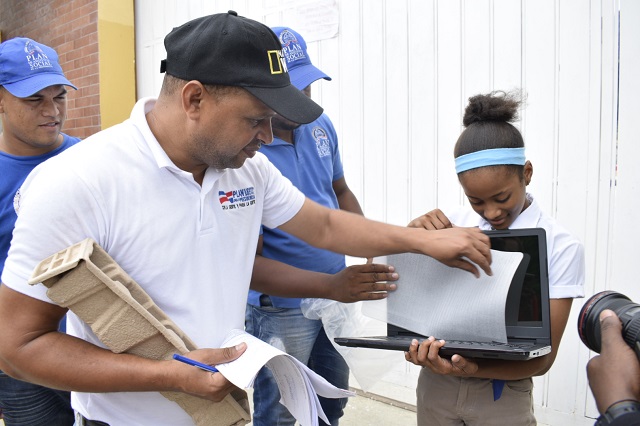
{"x":197,"y":382}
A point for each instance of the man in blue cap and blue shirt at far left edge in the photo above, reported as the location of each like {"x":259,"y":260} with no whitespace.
{"x":33,"y":108}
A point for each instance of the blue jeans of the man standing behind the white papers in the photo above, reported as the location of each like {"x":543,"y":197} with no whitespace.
{"x":288,"y":330}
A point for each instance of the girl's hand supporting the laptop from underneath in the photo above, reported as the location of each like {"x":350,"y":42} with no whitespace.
{"x":427,"y":355}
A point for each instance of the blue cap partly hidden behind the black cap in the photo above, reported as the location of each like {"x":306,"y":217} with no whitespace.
{"x":301,"y":71}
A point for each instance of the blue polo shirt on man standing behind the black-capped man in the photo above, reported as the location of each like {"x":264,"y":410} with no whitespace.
{"x":312,"y":163}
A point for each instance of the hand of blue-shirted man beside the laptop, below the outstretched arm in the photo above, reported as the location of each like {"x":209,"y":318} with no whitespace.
{"x":362,"y":282}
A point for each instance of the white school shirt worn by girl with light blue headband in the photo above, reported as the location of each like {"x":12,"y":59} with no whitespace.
{"x":564,"y":251}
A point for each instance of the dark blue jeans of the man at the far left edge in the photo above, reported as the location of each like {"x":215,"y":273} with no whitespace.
{"x":26,"y":404}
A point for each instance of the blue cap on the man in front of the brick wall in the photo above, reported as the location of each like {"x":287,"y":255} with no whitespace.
{"x":26,"y":67}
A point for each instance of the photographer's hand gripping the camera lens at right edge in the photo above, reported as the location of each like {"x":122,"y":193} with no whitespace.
{"x":614,"y":375}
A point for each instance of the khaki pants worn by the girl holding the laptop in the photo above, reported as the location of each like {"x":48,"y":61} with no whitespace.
{"x":448,"y":401}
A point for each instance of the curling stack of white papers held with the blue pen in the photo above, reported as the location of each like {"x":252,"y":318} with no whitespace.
{"x":299,"y":386}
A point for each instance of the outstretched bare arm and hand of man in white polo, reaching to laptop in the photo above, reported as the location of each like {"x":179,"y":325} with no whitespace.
{"x":351,"y":234}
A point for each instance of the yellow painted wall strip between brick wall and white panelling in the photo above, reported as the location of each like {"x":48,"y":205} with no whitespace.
{"x":116,"y":39}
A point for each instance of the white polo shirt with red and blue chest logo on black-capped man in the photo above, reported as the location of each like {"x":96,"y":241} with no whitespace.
{"x":190,"y":247}
